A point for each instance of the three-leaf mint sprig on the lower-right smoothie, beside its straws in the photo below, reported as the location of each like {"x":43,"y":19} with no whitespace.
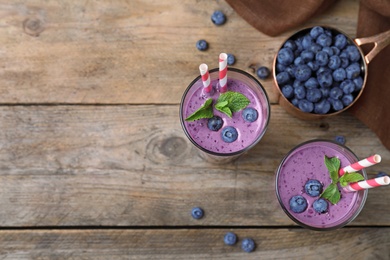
{"x":332,"y":192}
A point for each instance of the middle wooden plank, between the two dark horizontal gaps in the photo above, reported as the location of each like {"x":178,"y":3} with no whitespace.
{"x":132,"y":166}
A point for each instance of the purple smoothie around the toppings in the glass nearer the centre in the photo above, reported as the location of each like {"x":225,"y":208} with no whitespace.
{"x":249,"y":133}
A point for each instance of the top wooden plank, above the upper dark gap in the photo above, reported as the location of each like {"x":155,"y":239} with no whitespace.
{"x":119,"y":52}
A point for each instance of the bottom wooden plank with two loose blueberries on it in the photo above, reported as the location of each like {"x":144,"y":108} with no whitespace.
{"x":348,"y":243}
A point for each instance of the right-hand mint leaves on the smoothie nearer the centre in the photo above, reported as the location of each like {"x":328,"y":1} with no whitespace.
{"x":230,"y":102}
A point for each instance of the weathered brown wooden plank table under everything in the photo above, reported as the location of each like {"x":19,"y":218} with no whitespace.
{"x":95,"y":165}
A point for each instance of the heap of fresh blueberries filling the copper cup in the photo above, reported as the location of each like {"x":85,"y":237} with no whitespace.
{"x":319,"y":71}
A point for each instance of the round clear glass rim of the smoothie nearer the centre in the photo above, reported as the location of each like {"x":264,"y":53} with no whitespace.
{"x":241,"y":150}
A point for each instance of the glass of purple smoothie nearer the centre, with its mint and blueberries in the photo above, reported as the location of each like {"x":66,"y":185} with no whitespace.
{"x":229,"y":122}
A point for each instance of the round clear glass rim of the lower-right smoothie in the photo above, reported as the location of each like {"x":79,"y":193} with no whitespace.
{"x":297,"y":221}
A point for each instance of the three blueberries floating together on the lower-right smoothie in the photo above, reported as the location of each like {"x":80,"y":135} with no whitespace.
{"x":313,"y":188}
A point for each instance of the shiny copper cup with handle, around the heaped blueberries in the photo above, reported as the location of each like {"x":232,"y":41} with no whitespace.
{"x":380,"y":41}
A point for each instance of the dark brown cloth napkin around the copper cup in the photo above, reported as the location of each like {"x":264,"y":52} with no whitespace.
{"x":273,"y":17}
